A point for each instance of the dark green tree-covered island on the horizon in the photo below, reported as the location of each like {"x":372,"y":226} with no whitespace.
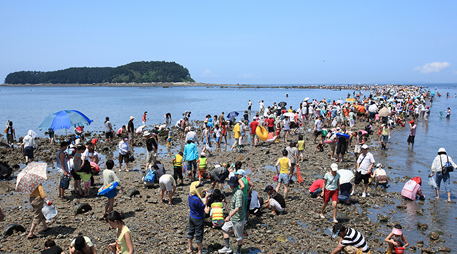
{"x":137,"y":72}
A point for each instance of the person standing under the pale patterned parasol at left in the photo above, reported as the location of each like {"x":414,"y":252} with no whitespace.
{"x":37,"y":199}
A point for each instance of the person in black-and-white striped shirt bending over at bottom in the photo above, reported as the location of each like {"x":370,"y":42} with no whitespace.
{"x":351,"y":240}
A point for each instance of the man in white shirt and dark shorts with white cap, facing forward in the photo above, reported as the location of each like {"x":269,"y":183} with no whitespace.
{"x":365,"y":163}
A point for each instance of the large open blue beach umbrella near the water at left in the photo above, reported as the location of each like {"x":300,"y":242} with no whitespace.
{"x":64,"y":119}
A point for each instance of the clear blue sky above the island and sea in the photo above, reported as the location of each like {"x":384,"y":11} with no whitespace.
{"x":245,"y":42}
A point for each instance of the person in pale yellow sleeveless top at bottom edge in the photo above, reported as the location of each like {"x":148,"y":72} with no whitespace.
{"x":124,"y":242}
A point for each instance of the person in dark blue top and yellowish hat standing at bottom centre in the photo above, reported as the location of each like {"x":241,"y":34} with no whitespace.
{"x":198,"y":208}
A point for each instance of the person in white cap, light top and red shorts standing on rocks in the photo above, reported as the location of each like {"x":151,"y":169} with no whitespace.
{"x":331,"y":190}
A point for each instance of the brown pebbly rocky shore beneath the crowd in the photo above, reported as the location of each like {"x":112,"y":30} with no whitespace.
{"x":159,"y":228}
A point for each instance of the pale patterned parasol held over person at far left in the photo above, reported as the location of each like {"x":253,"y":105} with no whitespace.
{"x":31,"y":177}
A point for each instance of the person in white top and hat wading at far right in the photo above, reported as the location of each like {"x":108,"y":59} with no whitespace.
{"x":437,"y":167}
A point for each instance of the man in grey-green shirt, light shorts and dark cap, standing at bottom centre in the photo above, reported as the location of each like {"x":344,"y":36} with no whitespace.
{"x":236,"y":217}
